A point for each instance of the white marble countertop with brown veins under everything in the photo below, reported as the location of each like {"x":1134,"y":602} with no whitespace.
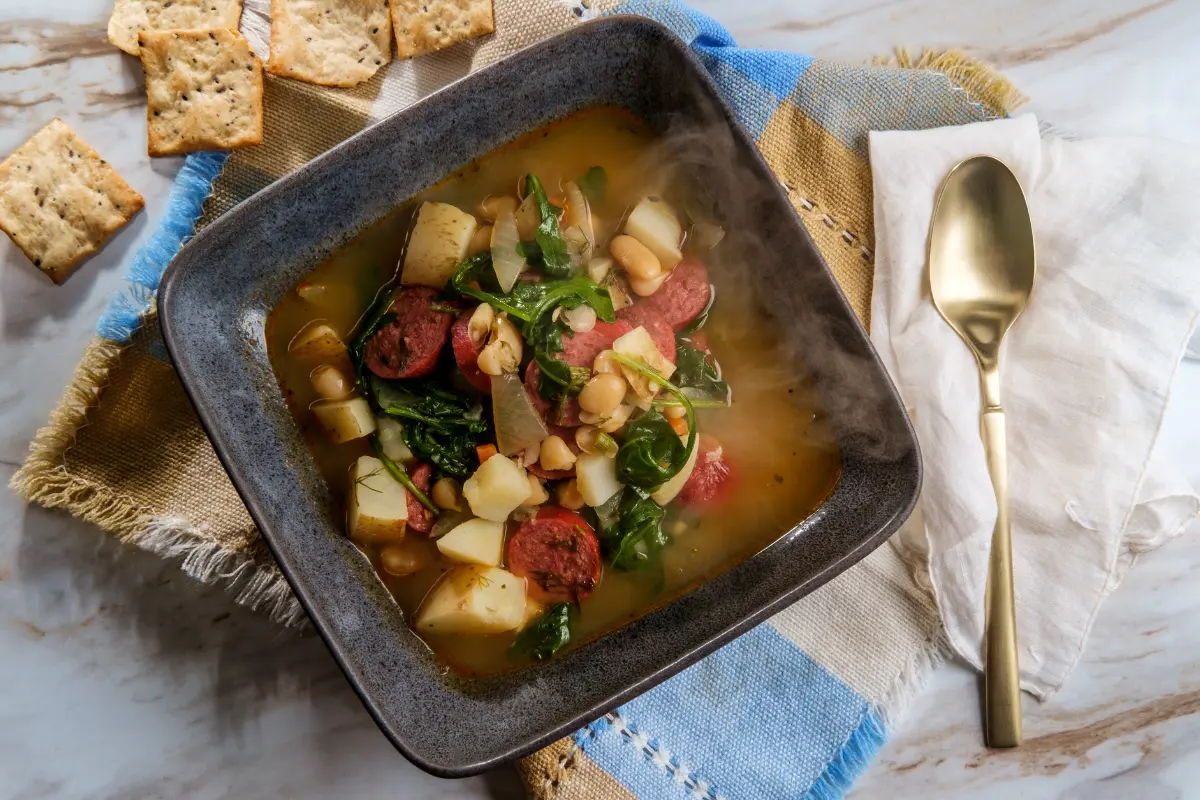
{"x":119,"y":678}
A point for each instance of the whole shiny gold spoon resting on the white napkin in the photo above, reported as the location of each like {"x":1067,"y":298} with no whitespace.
{"x":981,"y":274}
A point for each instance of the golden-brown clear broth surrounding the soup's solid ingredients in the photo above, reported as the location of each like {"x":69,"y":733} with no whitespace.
{"x":784,"y":460}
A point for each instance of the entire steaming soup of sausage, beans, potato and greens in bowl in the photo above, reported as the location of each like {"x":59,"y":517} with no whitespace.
{"x":545,"y":398}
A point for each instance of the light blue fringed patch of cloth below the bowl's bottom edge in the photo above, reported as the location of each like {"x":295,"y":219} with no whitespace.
{"x":758,"y":719}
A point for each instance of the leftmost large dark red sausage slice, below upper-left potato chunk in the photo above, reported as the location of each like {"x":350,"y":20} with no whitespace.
{"x":410,"y":346}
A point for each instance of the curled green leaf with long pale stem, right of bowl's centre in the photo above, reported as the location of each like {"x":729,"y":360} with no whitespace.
{"x":651,"y":453}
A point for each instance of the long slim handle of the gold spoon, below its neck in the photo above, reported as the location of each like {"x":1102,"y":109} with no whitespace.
{"x":1003,"y":690}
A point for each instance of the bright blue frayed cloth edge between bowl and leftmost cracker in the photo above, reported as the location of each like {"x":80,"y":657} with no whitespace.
{"x":185,"y":203}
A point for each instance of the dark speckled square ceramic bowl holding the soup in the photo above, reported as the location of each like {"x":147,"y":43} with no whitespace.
{"x":217,"y":296}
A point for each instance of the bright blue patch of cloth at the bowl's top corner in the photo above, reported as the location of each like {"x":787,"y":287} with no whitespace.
{"x":754,"y":82}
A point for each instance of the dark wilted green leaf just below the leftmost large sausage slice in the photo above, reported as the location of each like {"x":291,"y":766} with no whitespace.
{"x":441,"y":426}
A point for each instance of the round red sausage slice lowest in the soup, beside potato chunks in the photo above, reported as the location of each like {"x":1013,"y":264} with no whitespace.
{"x":560,"y":555}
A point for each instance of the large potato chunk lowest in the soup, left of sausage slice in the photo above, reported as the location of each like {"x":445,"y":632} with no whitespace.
{"x":475,"y":599}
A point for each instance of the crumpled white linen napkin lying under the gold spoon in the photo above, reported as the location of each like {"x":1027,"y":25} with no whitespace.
{"x":1087,"y":372}
